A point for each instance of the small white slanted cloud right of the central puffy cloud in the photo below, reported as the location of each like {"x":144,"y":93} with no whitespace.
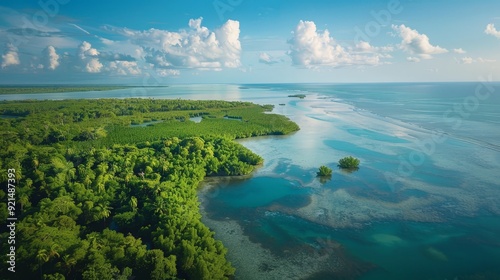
{"x":416,"y":43}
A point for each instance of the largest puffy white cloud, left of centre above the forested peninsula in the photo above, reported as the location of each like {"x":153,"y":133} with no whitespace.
{"x":196,"y":47}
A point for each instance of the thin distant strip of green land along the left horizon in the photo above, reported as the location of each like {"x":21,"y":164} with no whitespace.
{"x":54,"y":89}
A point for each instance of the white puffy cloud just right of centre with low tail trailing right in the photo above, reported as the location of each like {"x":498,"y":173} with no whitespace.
{"x":312,"y":48}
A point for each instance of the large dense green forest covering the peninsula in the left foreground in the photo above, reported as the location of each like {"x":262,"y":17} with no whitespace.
{"x":98,"y":199}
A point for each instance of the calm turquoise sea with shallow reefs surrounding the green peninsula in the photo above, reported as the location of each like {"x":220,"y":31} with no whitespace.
{"x":424,"y":204}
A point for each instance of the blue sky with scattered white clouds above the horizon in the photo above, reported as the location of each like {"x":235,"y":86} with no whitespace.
{"x":161,"y":42}
